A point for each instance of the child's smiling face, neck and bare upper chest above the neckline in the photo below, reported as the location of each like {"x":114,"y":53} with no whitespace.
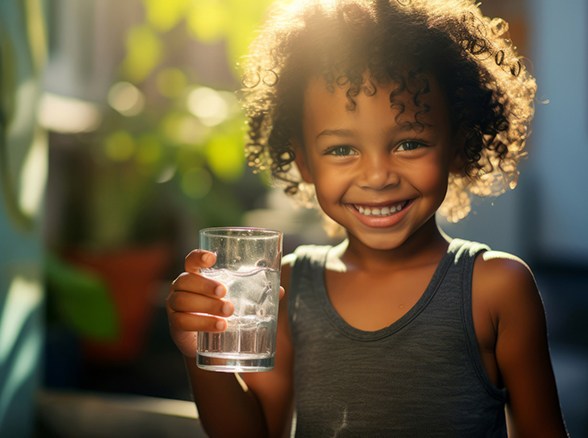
{"x":382,"y":177}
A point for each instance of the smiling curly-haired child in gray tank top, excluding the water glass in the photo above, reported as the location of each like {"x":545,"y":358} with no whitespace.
{"x":385,"y":112}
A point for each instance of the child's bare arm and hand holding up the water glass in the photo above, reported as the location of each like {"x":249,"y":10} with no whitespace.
{"x":226,"y":406}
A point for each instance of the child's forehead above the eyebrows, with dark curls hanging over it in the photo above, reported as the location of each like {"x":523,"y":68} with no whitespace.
{"x":415,"y":100}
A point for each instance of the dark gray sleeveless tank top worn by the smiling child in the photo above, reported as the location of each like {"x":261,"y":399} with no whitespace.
{"x":422,"y":376}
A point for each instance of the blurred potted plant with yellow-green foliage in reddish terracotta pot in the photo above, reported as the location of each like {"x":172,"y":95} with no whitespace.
{"x":168,"y":151}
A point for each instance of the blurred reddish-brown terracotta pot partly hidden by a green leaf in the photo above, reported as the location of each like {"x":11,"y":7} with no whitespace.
{"x":133,"y":276}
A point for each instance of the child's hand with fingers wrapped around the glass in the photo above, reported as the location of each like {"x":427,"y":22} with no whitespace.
{"x":195,"y":303}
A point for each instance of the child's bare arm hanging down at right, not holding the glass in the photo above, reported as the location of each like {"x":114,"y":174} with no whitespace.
{"x":522,"y":352}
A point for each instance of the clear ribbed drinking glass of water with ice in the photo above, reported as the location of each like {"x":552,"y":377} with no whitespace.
{"x":248,"y":264}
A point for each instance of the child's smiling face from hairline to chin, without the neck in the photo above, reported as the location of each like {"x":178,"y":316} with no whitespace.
{"x":378,"y":176}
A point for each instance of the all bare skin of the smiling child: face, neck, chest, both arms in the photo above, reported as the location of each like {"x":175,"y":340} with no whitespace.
{"x":382,"y":180}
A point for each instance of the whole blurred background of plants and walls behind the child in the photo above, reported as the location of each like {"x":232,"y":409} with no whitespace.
{"x":120,"y":137}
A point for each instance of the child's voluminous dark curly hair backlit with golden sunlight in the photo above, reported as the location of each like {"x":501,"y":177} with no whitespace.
{"x":490,"y":93}
